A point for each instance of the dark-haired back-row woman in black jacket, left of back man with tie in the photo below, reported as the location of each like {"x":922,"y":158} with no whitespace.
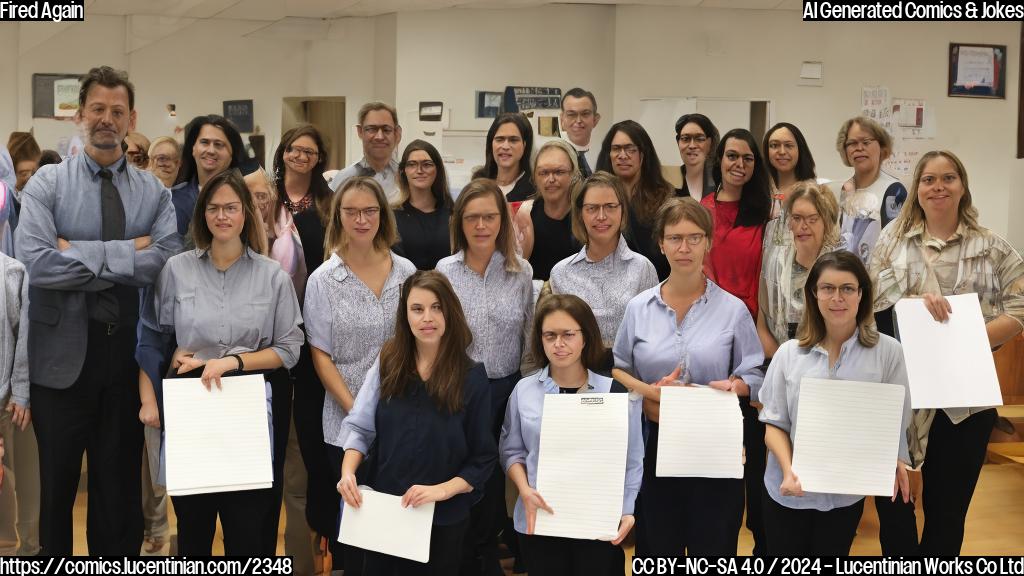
{"x":510,"y":146}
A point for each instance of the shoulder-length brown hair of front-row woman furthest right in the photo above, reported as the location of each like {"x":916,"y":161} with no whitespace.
{"x":813,"y":325}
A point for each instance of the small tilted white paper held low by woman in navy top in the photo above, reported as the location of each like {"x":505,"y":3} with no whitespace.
{"x":383,"y":526}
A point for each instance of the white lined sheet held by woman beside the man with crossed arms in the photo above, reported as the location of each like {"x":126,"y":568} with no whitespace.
{"x":218,"y":440}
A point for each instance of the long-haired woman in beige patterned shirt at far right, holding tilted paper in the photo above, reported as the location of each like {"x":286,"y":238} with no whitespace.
{"x":936,"y":249}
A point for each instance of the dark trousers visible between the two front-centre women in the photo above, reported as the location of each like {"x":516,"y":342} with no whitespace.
{"x":489,"y":517}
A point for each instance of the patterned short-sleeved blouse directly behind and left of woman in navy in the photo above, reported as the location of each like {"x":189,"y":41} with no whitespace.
{"x":347,"y":320}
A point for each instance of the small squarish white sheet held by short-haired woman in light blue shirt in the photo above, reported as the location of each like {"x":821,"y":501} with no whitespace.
{"x":701,"y":434}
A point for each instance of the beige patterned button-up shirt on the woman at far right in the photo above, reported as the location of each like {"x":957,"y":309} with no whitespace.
{"x":971,"y":261}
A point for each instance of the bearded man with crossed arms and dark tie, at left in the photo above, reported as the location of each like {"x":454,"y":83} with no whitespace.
{"x":94,"y":230}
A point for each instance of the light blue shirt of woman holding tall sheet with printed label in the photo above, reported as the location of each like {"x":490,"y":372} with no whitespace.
{"x":521,"y":440}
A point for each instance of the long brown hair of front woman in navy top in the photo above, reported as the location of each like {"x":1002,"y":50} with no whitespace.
{"x":399,"y":355}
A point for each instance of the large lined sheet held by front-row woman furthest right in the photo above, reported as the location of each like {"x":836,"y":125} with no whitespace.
{"x":847,"y":438}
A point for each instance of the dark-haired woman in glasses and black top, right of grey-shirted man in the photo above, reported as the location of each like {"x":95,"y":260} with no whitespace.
{"x":424,"y":207}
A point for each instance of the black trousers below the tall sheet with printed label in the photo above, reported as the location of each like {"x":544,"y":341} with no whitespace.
{"x":550,"y":556}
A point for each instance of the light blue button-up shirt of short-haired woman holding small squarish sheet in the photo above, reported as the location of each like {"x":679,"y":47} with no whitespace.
{"x":717,"y":338}
